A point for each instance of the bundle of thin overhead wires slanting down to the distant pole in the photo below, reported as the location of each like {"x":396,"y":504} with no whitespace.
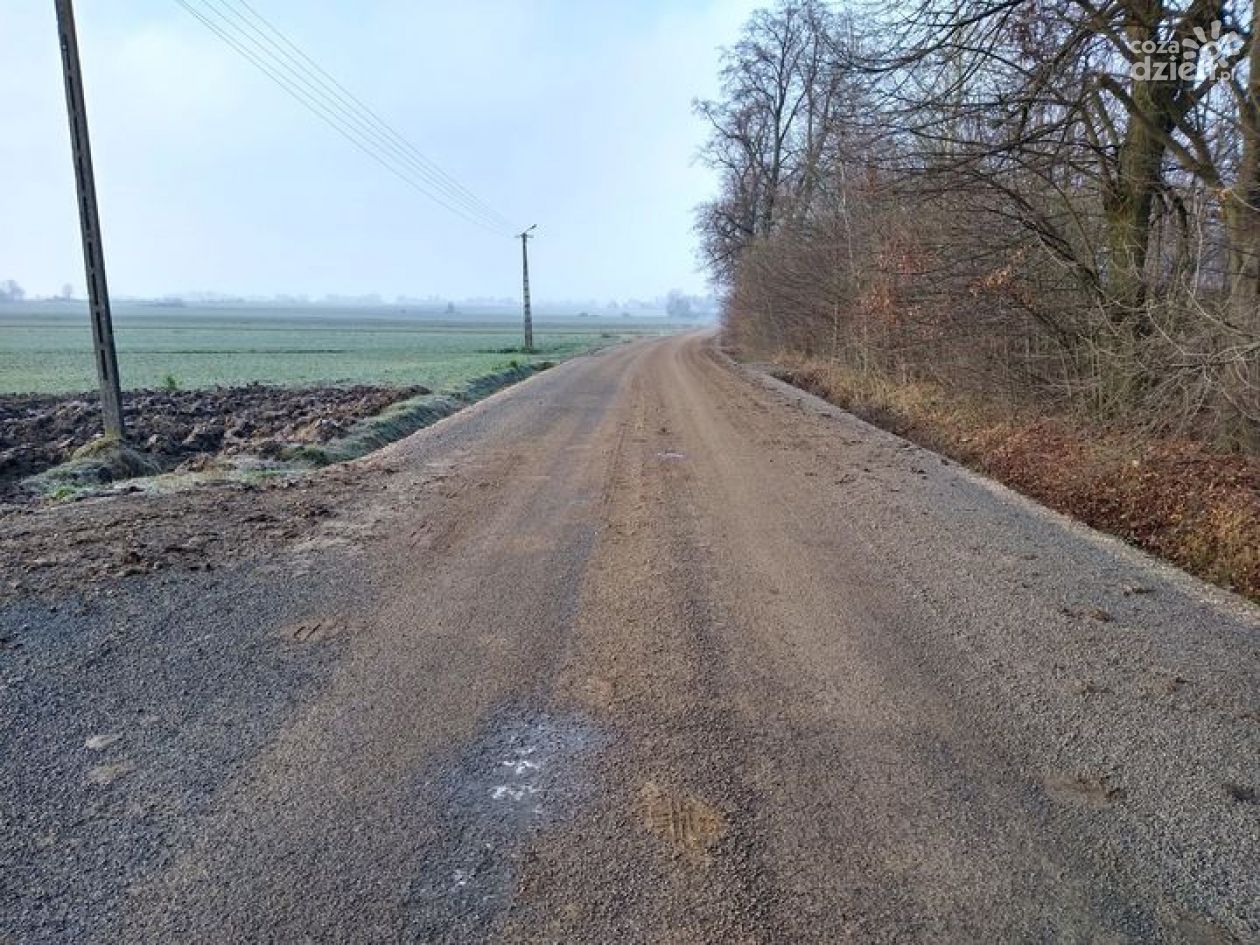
{"x":254,"y":38}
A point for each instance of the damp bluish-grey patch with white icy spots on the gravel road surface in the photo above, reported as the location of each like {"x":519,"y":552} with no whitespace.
{"x":524,"y":773}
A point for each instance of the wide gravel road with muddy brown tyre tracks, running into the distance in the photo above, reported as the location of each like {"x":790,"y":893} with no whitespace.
{"x":647,"y":650}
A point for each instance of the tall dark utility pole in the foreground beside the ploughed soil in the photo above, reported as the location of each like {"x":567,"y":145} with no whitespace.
{"x":90,"y":222}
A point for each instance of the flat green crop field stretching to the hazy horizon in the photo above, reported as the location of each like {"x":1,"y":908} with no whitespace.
{"x":47,"y":347}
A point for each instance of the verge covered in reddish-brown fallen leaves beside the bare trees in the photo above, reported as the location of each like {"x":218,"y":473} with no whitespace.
{"x":1177,"y":498}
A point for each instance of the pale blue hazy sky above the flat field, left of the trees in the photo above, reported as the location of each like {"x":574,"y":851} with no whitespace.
{"x":569,"y":114}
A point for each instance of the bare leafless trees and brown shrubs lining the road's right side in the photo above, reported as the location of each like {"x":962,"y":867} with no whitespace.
{"x":1057,"y":202}
